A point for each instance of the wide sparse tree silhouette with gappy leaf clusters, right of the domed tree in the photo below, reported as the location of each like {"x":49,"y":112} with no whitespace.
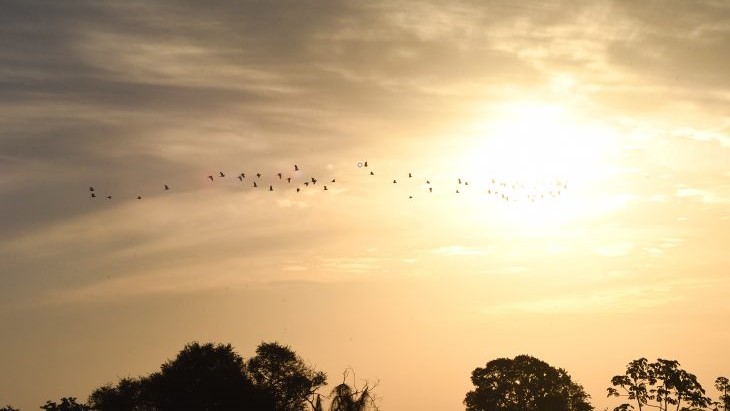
{"x":660,"y":384}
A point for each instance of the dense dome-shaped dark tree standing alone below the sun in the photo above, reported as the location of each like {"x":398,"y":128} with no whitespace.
{"x":524,"y":383}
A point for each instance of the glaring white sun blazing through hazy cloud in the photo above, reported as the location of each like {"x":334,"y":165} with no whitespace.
{"x":541,"y":162}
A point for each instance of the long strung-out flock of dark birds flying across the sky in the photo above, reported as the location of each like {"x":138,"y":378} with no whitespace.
{"x":504,"y":190}
